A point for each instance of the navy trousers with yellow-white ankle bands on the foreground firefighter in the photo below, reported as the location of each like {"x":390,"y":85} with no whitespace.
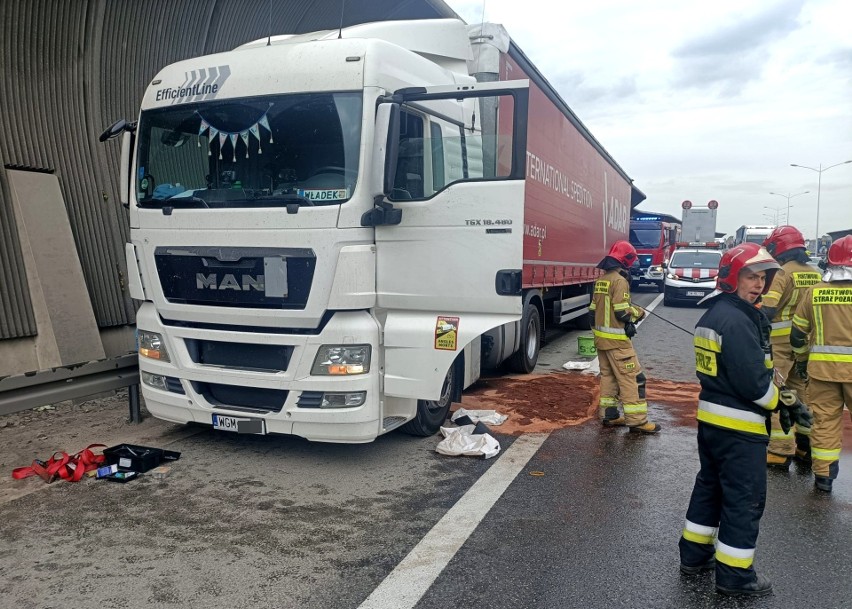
{"x":726,"y":504}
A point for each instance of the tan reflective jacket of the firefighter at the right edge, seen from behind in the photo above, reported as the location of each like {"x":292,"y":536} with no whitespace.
{"x":822,"y":331}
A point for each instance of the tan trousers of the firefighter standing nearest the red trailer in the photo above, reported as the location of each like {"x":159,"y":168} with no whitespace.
{"x":622,"y":381}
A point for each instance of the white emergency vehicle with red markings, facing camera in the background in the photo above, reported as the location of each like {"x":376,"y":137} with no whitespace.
{"x":691,"y":272}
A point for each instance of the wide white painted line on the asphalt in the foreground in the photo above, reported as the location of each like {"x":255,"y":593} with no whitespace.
{"x":408,"y":582}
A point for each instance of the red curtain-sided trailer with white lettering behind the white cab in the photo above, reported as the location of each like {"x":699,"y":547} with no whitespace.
{"x":577,"y":203}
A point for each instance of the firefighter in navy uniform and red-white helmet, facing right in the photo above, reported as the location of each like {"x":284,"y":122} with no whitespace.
{"x":733,"y":361}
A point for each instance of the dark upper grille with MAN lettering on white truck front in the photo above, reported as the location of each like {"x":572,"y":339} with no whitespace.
{"x":251,"y":277}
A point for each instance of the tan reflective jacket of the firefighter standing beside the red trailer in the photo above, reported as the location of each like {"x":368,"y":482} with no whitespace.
{"x":611,"y":308}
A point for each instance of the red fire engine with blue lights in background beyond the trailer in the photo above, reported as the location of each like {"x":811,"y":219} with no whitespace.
{"x":654,"y":240}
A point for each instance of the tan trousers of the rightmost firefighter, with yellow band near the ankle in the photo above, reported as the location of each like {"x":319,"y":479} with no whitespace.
{"x":827,"y":400}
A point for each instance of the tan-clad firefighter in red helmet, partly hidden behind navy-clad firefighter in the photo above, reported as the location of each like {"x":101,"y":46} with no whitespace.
{"x":787,"y":246}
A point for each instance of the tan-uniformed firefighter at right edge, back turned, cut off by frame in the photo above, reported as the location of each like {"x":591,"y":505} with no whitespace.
{"x":822,"y":341}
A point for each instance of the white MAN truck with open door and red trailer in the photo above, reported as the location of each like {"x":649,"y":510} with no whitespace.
{"x":332,"y":233}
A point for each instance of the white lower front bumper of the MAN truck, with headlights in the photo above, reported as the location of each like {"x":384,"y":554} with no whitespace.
{"x":283,"y":394}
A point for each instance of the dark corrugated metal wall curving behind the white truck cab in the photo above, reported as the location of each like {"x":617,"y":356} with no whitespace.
{"x":74,"y":67}
